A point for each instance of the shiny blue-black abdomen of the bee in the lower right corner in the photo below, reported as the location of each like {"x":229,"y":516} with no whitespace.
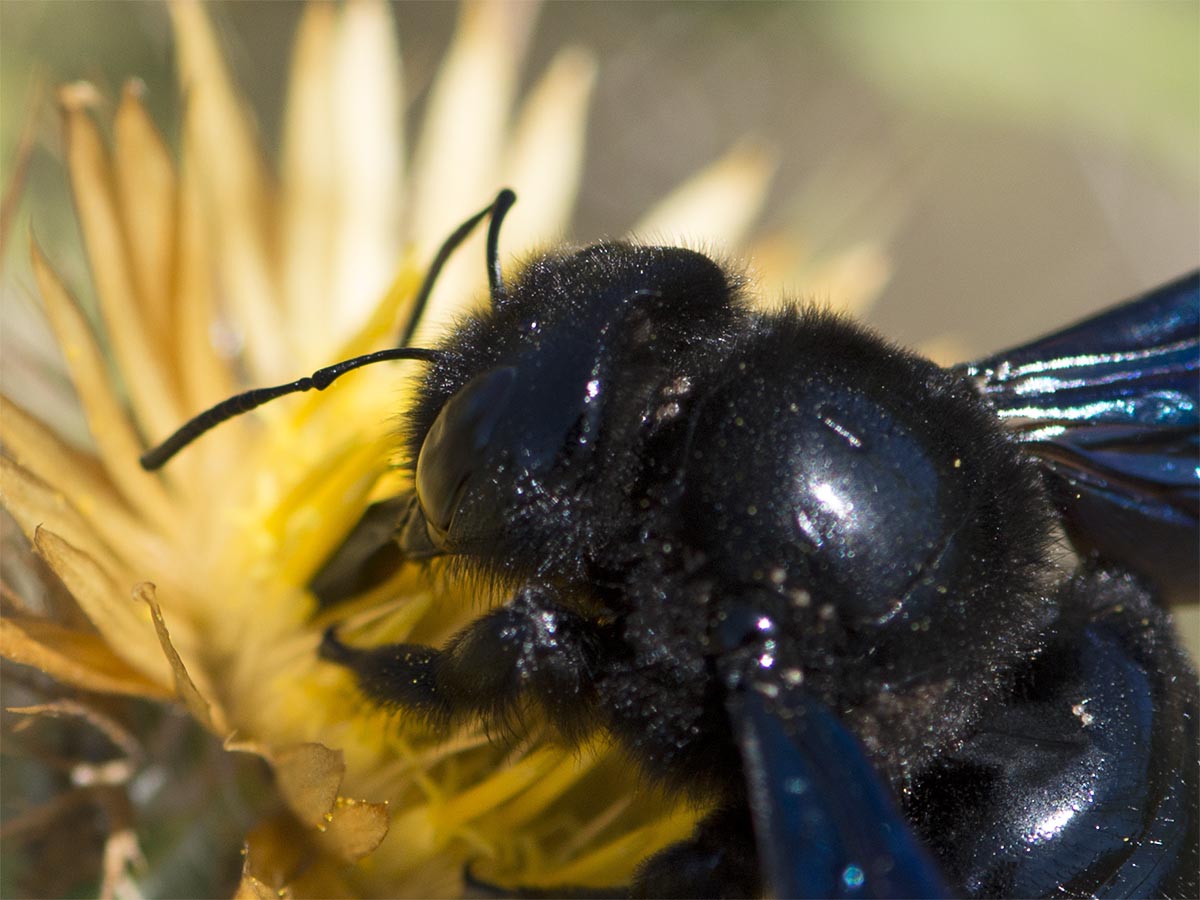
{"x":1083,"y":783}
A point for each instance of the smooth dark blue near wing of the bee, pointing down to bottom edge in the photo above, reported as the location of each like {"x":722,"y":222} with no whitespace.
{"x":825,"y":824}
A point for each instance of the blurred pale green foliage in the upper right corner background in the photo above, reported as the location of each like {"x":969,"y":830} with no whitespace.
{"x":1120,"y":73}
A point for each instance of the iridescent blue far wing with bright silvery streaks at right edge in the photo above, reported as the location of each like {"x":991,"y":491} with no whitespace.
{"x":1112,"y":410}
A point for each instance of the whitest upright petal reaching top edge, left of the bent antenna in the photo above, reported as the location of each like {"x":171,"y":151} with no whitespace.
{"x":368,"y":127}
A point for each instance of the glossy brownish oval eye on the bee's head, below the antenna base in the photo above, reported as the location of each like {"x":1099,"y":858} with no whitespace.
{"x":457,"y":445}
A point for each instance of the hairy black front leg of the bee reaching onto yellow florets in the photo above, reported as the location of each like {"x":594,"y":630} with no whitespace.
{"x":532,"y":647}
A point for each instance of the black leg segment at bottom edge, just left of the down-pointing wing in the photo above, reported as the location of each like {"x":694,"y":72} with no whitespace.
{"x":718,"y":861}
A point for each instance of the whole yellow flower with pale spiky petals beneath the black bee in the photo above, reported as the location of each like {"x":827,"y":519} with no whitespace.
{"x":212,"y":273}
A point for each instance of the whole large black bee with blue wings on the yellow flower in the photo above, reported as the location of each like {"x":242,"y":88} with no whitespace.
{"x":806,"y":574}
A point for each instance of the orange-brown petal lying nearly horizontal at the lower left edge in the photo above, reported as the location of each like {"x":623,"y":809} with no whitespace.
{"x":75,"y":658}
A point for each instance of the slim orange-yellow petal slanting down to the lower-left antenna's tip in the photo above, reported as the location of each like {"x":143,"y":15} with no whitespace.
{"x":116,"y":440}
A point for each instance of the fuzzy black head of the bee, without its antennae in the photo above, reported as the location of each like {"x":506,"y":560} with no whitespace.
{"x":526,"y":436}
